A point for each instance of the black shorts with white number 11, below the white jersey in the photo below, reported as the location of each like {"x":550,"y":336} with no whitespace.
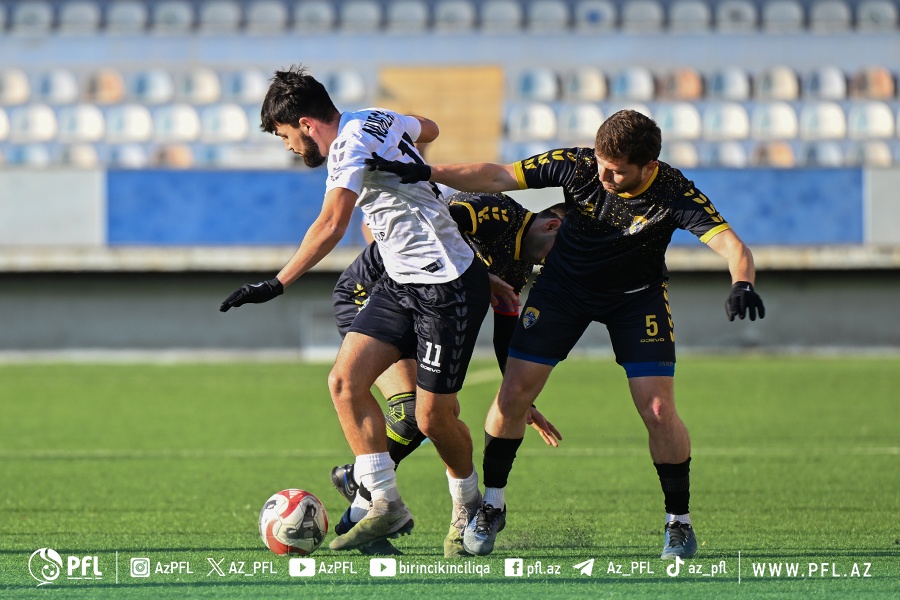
{"x":436,"y":323}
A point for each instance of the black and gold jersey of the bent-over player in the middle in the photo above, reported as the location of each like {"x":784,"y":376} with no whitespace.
{"x":494,"y":225}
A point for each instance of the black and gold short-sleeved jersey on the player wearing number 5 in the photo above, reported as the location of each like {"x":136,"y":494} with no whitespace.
{"x":610,"y":243}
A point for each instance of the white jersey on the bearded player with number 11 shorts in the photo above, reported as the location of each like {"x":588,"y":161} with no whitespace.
{"x":418,"y":240}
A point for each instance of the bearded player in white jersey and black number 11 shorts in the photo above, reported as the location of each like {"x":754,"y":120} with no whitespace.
{"x":430,"y":307}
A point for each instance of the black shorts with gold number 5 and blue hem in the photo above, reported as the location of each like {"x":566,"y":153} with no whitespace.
{"x":639,"y":324}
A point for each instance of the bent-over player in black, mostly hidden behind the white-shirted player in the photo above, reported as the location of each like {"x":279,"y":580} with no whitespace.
{"x":510,"y":240}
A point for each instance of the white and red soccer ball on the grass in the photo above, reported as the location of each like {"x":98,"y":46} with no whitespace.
{"x":293,"y":522}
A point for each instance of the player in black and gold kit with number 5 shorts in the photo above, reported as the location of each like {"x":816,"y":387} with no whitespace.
{"x":608,"y":265}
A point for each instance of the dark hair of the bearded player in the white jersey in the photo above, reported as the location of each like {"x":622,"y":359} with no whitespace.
{"x":294,"y":94}
